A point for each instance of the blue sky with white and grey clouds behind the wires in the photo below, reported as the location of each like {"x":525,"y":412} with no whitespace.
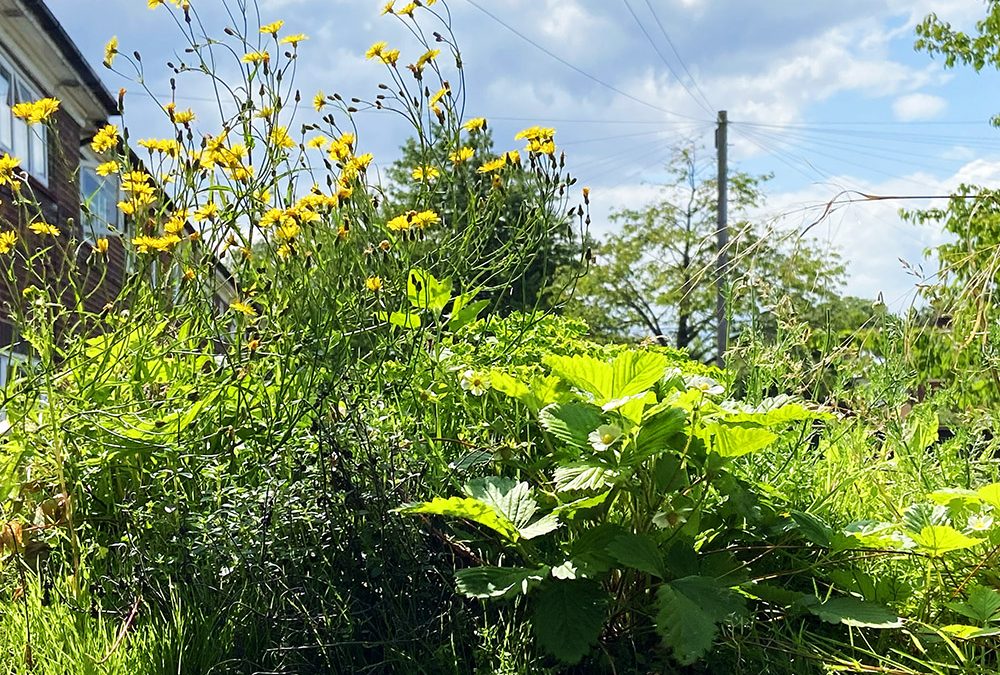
{"x":829,"y":96}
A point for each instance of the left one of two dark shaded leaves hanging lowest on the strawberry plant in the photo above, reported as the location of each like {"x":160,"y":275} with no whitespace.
{"x":568,"y":618}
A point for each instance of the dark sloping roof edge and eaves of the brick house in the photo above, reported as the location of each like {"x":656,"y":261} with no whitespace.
{"x":40,"y":17}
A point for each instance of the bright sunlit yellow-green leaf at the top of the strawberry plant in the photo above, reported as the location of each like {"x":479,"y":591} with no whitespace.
{"x":631,"y":373}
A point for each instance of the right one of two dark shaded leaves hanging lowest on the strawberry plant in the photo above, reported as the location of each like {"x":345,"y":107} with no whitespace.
{"x":689,"y":613}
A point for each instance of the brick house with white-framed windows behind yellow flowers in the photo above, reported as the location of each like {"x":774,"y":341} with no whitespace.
{"x":38,"y":59}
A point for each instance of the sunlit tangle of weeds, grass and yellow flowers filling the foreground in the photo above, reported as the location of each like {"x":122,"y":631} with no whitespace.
{"x":376,"y":459}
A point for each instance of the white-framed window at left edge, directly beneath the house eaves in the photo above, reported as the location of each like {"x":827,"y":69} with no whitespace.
{"x":28,"y":143}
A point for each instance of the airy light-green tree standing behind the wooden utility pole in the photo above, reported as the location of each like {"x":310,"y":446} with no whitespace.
{"x":655,"y":276}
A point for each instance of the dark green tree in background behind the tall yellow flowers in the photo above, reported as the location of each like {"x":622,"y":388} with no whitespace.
{"x":531,"y":227}
